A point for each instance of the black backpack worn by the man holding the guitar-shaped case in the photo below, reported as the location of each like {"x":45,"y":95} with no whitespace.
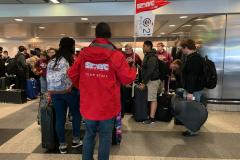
{"x":210,"y":73}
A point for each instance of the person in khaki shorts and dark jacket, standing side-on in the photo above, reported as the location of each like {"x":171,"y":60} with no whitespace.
{"x":150,"y":78}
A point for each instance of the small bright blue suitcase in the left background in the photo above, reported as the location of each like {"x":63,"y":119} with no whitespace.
{"x":31,"y":88}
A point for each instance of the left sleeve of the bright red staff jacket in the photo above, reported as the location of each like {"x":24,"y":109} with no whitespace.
{"x":74,"y":72}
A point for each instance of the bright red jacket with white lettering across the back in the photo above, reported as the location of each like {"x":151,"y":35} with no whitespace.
{"x":98,"y":72}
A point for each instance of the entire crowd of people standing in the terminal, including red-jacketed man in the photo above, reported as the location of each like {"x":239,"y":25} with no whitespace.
{"x":89,"y":84}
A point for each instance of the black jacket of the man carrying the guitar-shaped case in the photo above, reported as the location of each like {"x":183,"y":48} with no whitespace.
{"x":193,"y":76}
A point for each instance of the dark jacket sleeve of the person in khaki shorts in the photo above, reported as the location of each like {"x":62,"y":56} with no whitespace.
{"x":147,"y":75}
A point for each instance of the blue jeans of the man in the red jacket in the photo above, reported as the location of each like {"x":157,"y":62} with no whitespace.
{"x":105,"y":129}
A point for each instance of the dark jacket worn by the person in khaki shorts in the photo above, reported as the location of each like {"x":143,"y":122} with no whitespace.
{"x":150,"y":70}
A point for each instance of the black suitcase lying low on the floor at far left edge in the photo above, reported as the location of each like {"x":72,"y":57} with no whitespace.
{"x":16,"y":96}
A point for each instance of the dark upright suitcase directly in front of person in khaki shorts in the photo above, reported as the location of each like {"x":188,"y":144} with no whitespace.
{"x":140,"y":105}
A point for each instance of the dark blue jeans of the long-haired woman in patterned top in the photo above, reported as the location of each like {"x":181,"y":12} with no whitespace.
{"x":61,"y":102}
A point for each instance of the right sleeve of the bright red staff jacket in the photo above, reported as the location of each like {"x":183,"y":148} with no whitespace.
{"x":125,"y":74}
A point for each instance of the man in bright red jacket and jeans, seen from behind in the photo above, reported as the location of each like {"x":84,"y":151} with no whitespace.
{"x":98,"y":72}
